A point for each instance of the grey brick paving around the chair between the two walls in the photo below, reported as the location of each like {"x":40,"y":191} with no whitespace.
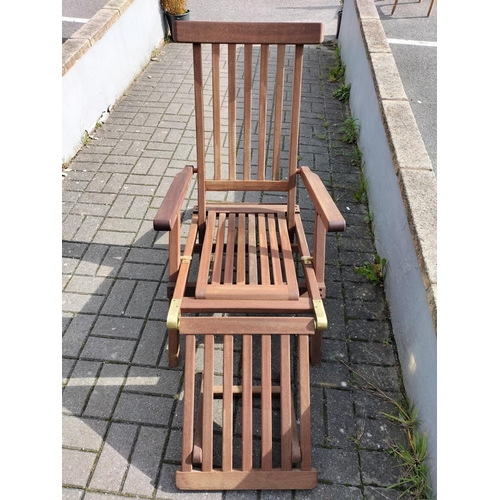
{"x":122,"y":405}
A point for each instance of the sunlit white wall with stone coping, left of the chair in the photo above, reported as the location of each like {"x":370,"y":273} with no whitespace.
{"x":101,"y":60}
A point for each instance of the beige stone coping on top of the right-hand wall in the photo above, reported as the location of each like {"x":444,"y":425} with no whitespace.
{"x":413,"y":167}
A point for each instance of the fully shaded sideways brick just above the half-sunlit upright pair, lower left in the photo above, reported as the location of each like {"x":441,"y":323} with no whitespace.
{"x":143,"y":409}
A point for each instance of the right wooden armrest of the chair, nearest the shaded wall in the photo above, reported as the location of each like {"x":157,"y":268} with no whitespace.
{"x":325,"y":206}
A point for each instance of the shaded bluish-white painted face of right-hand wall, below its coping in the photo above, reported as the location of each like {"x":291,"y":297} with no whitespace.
{"x":411,"y":320}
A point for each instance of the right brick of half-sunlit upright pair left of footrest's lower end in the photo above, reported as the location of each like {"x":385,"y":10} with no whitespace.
{"x":145,"y":462}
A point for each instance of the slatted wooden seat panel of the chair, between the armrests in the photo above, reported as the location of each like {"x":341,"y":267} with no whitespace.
{"x":247,"y":254}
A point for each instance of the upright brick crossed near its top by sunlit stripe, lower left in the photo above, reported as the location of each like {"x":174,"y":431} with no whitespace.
{"x":105,"y":393}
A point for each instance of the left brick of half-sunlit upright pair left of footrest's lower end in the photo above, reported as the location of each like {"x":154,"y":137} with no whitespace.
{"x":113,"y":460}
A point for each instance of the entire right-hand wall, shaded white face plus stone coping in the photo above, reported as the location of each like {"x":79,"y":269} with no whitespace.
{"x":402,"y":198}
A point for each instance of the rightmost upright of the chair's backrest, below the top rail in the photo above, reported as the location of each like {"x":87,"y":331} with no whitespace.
{"x":294,"y":133}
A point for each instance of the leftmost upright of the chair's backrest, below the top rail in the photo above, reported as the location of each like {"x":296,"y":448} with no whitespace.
{"x":200,"y":130}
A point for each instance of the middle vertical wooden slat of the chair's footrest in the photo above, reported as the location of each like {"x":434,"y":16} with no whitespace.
{"x":247,"y":438}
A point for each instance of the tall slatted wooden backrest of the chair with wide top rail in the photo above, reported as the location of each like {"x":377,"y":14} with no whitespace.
{"x":242,"y":149}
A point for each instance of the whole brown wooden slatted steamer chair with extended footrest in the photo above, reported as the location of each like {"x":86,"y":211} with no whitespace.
{"x":245,"y":256}
